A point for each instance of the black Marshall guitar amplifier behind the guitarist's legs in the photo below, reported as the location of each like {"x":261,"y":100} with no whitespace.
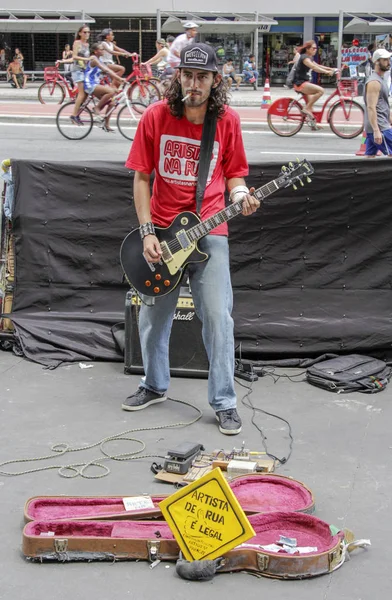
{"x":187,"y":354}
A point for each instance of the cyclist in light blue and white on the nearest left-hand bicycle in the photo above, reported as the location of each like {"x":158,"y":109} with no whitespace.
{"x":93,"y":86}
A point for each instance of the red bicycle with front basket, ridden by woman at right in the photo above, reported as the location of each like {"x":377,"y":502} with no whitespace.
{"x":345,"y":116}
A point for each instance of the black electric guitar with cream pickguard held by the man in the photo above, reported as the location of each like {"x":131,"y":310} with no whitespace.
{"x":179,"y":240}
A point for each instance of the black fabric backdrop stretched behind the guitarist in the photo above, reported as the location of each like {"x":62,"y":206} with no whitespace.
{"x":311,"y":269}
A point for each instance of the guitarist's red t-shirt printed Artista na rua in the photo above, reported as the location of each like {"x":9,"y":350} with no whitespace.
{"x":171,"y":146}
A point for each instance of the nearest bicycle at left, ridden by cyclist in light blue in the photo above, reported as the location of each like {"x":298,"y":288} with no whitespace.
{"x":126,"y":118}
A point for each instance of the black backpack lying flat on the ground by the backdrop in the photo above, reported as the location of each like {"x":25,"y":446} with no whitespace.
{"x":352,"y":373}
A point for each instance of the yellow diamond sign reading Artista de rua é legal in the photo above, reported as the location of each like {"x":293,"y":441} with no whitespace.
{"x":206,"y":518}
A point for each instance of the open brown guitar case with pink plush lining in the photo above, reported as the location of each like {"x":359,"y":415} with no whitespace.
{"x":76,"y":528}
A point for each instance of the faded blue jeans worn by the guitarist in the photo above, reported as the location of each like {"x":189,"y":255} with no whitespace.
{"x":213,"y":298}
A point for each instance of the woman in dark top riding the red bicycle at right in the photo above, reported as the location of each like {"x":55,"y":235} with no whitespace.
{"x":301,"y":81}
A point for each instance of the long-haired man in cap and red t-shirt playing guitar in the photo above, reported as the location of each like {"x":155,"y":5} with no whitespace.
{"x":168,"y":141}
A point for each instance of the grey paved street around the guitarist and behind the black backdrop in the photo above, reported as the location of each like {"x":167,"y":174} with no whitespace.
{"x":341,"y":449}
